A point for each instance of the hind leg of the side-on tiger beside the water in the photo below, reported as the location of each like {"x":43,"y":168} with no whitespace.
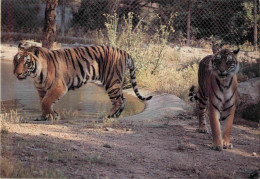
{"x":118,"y":100}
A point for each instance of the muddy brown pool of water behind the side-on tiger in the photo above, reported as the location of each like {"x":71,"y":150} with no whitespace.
{"x":88,"y":100}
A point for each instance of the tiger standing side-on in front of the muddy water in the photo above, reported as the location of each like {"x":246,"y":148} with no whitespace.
{"x":57,"y":71}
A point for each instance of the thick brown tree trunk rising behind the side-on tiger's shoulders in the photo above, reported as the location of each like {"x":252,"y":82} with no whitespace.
{"x":49,"y":30}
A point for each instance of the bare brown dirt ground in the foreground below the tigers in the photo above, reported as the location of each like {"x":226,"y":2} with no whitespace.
{"x":79,"y":148}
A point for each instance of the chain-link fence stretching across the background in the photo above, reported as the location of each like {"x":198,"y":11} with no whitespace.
{"x":195,"y":21}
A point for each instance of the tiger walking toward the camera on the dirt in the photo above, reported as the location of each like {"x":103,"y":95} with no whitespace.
{"x":217,"y":92}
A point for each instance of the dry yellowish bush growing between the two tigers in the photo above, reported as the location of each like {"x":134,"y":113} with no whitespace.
{"x":157,"y":65}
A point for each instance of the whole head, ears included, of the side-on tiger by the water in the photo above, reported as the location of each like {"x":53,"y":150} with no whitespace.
{"x":26,"y":62}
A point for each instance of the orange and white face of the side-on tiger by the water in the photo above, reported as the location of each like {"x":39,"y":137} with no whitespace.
{"x":24,"y":65}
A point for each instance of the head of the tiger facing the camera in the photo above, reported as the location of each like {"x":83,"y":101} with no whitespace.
{"x":224,"y":63}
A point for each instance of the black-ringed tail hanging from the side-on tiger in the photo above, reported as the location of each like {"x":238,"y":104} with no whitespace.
{"x":133,"y":80}
